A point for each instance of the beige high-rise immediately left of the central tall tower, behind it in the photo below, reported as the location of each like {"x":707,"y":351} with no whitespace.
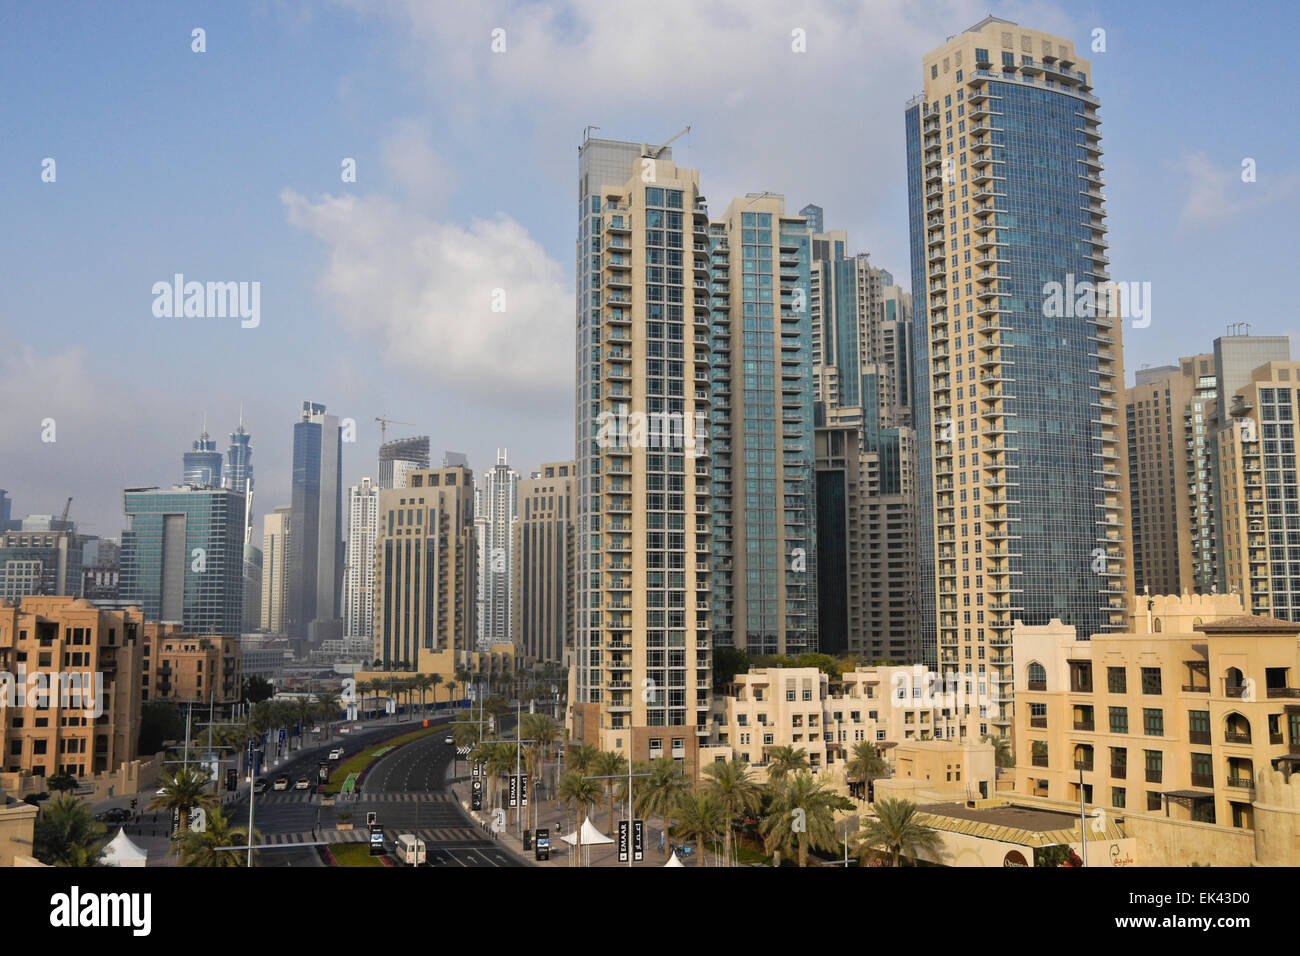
{"x":543,"y":564}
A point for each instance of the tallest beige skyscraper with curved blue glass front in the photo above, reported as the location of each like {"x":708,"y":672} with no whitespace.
{"x":1022,"y":483}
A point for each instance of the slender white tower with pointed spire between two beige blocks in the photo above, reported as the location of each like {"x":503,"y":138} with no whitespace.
{"x":495,"y":518}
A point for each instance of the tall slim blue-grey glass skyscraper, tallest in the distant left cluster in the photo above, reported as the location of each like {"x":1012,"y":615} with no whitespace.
{"x":317,"y":525}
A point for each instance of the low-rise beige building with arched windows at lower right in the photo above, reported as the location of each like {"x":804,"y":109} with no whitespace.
{"x":1193,"y":715}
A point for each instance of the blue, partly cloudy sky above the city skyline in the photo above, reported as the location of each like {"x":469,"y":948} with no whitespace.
{"x":437,"y":288}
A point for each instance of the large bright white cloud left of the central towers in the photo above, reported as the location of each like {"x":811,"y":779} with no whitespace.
{"x":426,"y":292}
